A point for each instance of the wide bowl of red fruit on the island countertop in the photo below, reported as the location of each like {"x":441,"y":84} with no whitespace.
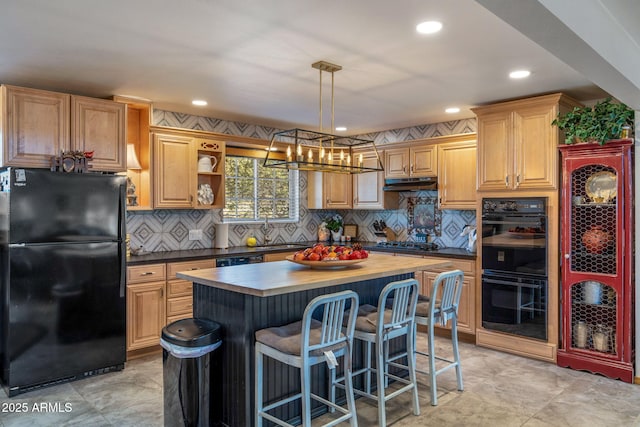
{"x":330,"y":256}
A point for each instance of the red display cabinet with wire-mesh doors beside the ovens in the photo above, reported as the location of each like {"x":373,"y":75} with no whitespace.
{"x":597,"y":265}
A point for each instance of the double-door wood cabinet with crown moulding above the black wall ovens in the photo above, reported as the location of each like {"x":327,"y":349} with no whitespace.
{"x":517,"y":146}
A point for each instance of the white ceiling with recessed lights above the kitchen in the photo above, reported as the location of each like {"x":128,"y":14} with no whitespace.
{"x":251,"y":59}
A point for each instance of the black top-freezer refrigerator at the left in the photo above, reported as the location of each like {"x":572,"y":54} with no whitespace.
{"x":63,"y":282}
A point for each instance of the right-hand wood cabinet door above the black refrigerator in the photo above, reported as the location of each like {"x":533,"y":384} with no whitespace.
{"x":98,"y":125}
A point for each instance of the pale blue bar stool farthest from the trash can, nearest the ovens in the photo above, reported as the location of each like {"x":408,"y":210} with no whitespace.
{"x":441,"y":307}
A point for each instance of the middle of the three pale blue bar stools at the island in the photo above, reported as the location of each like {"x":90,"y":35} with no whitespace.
{"x":378,"y":326}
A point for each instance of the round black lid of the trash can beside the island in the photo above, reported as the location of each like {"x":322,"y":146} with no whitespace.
{"x":192,"y":332}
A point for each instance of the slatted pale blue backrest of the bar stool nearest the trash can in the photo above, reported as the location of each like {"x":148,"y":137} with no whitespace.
{"x":332,"y":335}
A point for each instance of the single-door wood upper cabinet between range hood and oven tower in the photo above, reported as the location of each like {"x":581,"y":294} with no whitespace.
{"x":457,"y":174}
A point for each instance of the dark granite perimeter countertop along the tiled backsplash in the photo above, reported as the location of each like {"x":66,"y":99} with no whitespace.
{"x":195,"y":254}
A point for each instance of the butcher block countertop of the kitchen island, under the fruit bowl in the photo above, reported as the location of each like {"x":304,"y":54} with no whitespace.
{"x":282,"y":277}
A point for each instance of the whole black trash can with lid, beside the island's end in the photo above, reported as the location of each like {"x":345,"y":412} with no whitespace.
{"x":187,"y":345}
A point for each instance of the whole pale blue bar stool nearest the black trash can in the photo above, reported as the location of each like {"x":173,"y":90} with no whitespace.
{"x":306,"y":343}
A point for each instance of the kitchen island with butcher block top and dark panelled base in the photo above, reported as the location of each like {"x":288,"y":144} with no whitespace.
{"x":246,"y":298}
